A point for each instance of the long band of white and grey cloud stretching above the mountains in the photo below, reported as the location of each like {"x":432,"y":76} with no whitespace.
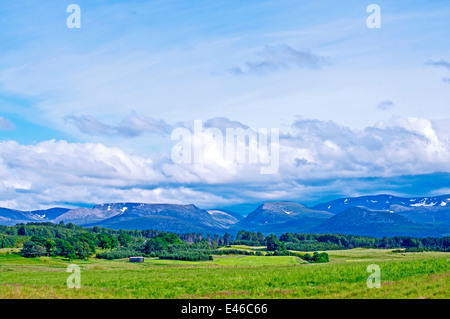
{"x":316,"y":157}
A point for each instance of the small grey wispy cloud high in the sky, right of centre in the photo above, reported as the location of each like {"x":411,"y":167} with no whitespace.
{"x":279,"y":57}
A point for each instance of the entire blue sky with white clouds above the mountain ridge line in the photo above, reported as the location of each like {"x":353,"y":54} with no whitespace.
{"x":87,"y":114}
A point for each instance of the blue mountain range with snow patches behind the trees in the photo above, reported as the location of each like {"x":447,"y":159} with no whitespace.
{"x":375,"y":215}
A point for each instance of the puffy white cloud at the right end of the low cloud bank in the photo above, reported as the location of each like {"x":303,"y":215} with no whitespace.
{"x":398,"y":146}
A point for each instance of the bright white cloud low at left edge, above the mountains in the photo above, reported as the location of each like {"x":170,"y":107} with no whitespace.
{"x":54,"y":171}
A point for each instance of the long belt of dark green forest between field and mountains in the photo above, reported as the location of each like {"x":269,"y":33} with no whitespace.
{"x":76,"y":242}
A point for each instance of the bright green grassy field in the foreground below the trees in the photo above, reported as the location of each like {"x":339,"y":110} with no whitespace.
{"x":410,"y":275}
